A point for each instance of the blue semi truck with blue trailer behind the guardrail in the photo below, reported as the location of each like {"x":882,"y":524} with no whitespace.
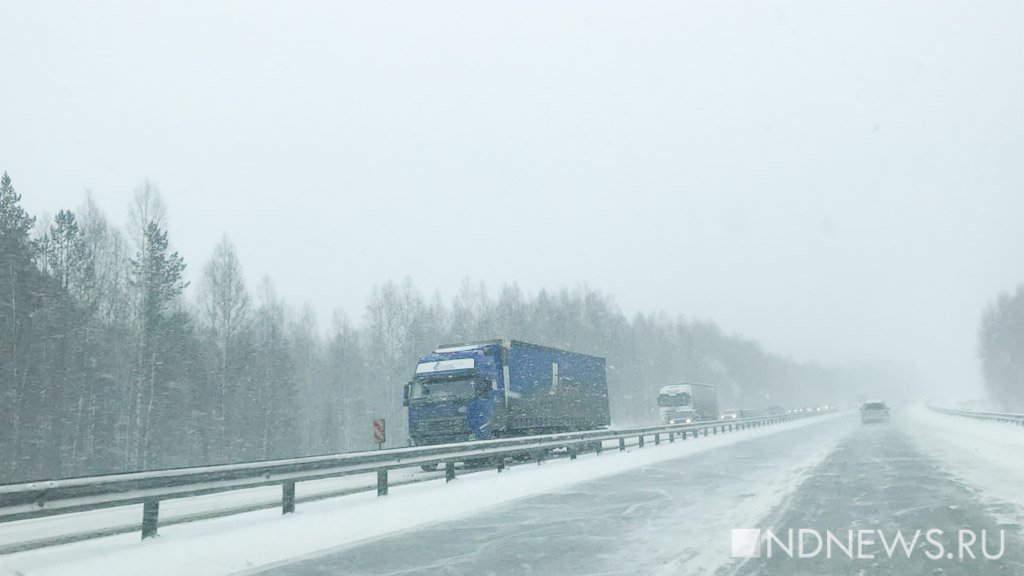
{"x":501,"y":389}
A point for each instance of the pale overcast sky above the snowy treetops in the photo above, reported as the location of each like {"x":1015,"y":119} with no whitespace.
{"x":840,"y":180}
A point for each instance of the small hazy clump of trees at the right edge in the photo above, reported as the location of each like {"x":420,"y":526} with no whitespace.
{"x":1001,"y":349}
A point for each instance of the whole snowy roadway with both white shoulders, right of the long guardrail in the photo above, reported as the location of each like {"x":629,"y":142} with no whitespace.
{"x":668,"y":510}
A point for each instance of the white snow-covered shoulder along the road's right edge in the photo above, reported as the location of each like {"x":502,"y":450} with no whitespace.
{"x":987,"y":457}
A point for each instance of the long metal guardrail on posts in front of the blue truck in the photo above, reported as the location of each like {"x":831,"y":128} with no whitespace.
{"x":44,"y":499}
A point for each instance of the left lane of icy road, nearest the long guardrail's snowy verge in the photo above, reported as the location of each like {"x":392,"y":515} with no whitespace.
{"x":672,"y":518}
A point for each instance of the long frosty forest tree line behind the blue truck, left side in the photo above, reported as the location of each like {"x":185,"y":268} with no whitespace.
{"x":111,"y":362}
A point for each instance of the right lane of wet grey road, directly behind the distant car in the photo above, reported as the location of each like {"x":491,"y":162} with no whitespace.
{"x":880,"y":481}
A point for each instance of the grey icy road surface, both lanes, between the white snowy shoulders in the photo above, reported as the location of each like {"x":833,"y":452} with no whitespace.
{"x":676,"y":517}
